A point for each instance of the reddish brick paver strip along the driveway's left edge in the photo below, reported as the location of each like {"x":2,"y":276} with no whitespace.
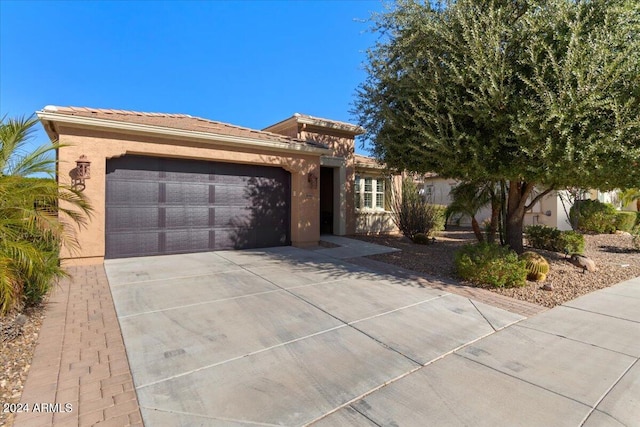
{"x":80,"y":359}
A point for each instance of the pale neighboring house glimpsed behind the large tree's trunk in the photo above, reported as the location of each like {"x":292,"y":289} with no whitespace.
{"x":552,"y":210}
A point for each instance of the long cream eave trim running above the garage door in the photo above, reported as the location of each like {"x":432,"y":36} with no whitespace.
{"x":93,"y":122}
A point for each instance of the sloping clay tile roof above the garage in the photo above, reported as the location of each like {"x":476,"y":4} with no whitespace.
{"x":178,"y":121}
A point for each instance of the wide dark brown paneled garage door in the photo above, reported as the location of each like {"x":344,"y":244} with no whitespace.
{"x":166,"y":206}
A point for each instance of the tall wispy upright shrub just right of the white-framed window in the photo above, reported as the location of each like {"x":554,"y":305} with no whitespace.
{"x":413,"y":215}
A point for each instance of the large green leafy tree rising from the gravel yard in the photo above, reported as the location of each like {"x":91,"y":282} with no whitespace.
{"x":540,"y":94}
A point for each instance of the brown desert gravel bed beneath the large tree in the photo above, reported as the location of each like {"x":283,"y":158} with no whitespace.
{"x":613,"y":254}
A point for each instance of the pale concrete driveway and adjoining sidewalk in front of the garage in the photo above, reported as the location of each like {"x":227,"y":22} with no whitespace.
{"x":285,"y":336}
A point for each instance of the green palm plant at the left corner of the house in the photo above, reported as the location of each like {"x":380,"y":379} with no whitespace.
{"x":32,"y":223}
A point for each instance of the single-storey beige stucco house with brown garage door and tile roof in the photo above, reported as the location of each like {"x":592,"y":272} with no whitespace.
{"x":173,"y":183}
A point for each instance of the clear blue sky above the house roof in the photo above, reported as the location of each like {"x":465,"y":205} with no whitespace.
{"x":249,"y":63}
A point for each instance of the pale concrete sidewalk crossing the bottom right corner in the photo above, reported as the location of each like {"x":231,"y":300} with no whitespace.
{"x":574,"y":365}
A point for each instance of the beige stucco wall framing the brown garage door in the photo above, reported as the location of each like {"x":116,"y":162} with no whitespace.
{"x":99,"y":146}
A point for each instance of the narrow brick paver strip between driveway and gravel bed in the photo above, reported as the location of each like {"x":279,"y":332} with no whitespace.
{"x":513,"y":305}
